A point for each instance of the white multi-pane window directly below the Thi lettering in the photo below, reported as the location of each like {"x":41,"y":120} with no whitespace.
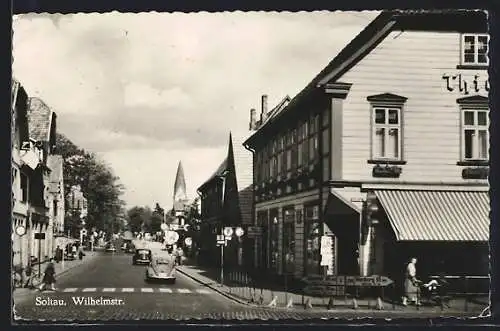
{"x":475,"y":135}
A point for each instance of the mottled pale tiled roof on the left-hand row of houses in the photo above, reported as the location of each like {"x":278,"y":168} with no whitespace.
{"x":39,"y":117}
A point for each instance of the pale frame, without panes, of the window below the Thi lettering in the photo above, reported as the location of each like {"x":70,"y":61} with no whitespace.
{"x":475,"y":108}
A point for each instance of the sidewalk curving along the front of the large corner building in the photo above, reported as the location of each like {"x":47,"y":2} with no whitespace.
{"x":286,"y":299}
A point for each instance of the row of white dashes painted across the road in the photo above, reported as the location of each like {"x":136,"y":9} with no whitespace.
{"x":163,"y":290}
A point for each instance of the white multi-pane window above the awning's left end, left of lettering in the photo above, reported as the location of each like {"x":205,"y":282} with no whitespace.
{"x":386,"y":140}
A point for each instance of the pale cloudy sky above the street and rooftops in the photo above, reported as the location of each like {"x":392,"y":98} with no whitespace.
{"x":144,"y":91}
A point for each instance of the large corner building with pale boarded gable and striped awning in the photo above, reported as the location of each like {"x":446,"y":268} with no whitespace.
{"x":385,"y":152}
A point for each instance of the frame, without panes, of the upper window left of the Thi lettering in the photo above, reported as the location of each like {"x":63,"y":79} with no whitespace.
{"x":387,"y":126}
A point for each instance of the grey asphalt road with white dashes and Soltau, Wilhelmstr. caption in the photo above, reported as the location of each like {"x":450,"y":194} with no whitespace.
{"x":111,"y":276}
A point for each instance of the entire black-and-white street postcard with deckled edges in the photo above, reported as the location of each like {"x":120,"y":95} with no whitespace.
{"x":250,"y":165}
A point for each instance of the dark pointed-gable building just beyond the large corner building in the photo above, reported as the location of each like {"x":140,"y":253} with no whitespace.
{"x":226,"y":201}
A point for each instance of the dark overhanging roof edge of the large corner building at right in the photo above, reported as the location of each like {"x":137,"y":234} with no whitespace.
{"x":435,"y":19}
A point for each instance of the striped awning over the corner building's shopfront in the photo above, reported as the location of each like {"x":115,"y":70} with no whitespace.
{"x":437,"y":215}
